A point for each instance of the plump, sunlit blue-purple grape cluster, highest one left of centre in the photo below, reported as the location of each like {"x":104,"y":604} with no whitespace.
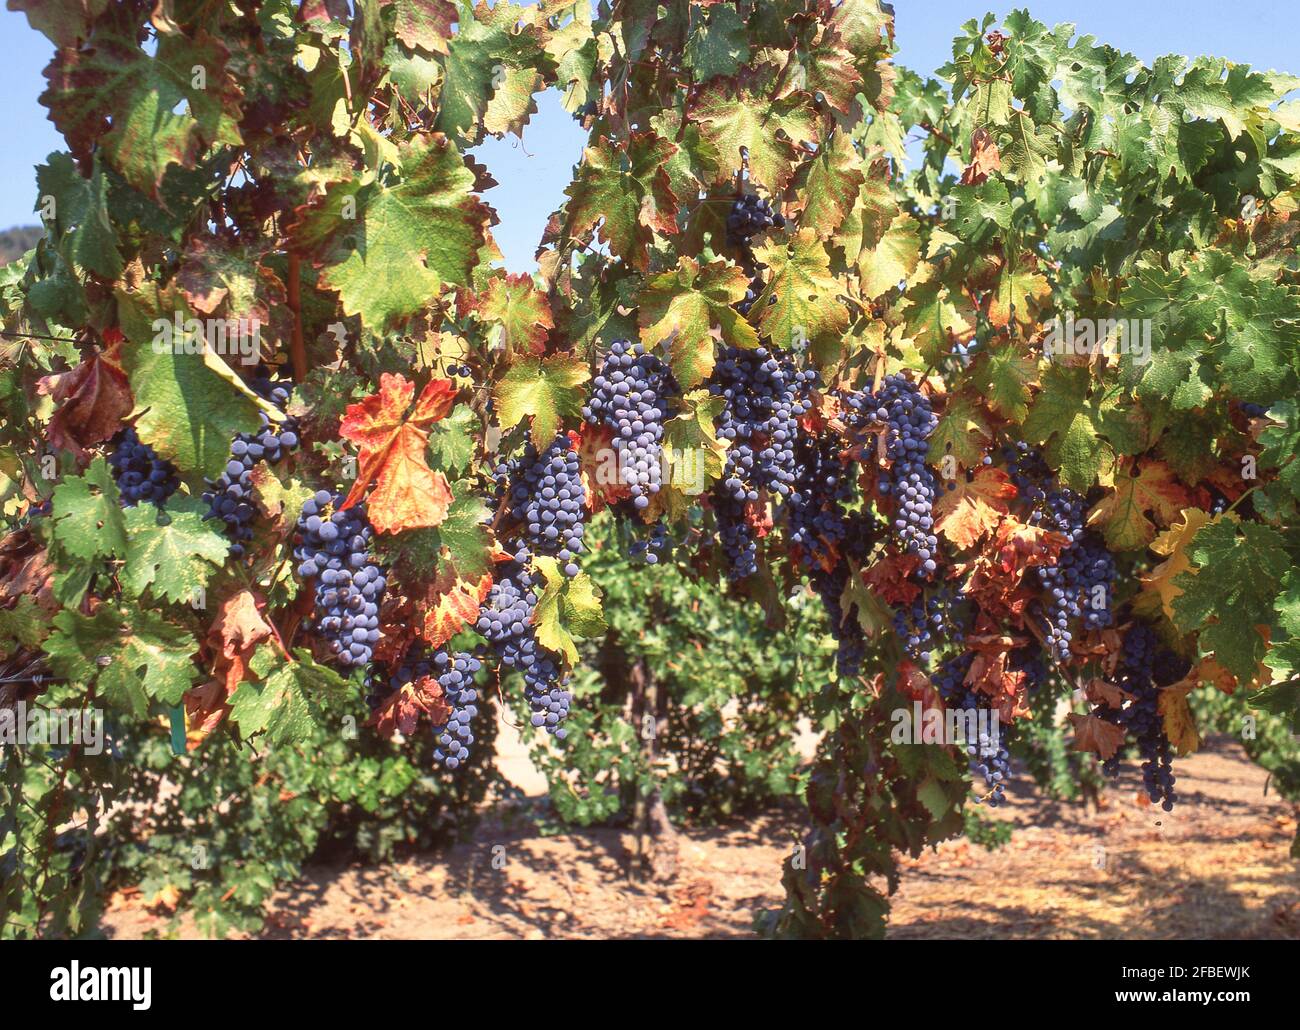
{"x":632,"y":396}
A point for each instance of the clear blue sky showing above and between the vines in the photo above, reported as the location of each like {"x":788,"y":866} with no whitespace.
{"x":534,"y":174}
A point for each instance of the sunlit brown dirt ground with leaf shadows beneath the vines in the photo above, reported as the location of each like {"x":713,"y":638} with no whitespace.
{"x":1219,"y":867}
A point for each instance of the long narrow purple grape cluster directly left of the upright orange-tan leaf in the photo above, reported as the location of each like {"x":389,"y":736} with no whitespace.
{"x":909,"y":481}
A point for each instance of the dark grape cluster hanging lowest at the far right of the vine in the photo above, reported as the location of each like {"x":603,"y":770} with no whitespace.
{"x":1145,"y":668}
